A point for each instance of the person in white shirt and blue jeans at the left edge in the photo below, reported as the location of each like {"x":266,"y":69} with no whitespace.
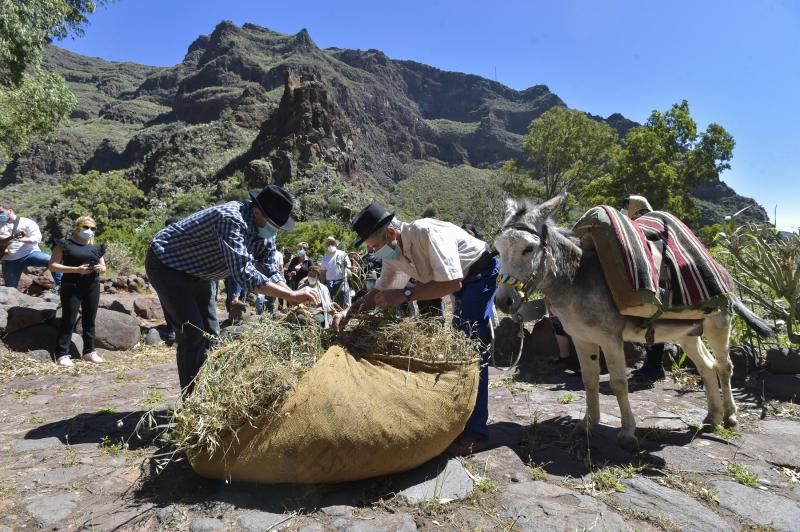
{"x":24,"y":251}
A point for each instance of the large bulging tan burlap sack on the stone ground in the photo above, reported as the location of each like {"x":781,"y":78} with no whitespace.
{"x":351,"y":418}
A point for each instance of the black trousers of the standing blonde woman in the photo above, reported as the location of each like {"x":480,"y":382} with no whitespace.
{"x":74,"y":299}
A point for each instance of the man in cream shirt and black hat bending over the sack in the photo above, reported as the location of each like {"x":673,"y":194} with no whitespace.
{"x":443,"y":259}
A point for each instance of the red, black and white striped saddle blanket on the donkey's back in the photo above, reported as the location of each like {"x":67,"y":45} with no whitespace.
{"x":654,"y":265}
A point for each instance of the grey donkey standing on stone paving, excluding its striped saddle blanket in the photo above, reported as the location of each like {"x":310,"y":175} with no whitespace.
{"x":542,"y":257}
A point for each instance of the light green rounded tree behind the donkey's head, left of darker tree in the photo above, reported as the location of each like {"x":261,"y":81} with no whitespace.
{"x":567,"y":151}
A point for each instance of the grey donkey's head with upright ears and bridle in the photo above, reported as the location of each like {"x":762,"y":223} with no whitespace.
{"x":522,"y":244}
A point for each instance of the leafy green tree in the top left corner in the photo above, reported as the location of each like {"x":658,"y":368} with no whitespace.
{"x":33,"y":101}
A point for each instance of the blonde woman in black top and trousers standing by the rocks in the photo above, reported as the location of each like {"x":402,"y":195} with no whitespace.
{"x":81,"y":262}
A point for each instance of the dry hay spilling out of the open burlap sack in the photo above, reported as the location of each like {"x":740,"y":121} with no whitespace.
{"x":251,"y":375}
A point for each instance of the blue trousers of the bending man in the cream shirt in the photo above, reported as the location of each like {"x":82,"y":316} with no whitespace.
{"x":474,"y":303}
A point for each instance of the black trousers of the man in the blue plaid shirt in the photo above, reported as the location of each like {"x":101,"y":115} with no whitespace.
{"x":190,"y":310}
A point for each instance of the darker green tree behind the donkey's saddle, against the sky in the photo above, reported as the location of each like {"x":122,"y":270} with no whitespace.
{"x":666,"y":158}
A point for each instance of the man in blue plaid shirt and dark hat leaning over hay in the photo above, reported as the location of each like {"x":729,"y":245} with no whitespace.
{"x":236,"y":239}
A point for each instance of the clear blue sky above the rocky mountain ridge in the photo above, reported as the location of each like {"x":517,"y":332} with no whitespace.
{"x":736,"y":61}
